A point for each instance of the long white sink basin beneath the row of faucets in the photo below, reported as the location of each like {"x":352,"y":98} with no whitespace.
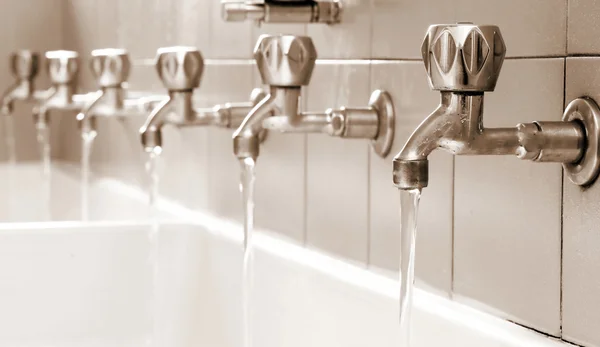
{"x":70,"y":284}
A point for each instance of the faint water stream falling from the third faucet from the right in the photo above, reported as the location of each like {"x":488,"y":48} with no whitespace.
{"x":152,"y":168}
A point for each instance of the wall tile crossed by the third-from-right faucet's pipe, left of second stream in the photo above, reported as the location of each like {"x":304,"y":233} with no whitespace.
{"x":224,"y":83}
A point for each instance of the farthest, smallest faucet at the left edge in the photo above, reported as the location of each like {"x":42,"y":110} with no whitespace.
{"x":24,"y":67}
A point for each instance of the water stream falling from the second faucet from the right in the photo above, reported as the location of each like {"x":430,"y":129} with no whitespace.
{"x":247,"y":189}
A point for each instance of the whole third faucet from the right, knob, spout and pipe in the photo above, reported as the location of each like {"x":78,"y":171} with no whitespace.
{"x":180,"y":70}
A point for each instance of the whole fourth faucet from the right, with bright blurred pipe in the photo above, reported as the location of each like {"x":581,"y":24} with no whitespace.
{"x":111,"y":69}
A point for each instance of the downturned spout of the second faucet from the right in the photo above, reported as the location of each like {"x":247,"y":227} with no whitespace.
{"x":246,"y":139}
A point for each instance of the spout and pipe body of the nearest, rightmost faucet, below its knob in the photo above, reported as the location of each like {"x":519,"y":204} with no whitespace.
{"x":456,"y":126}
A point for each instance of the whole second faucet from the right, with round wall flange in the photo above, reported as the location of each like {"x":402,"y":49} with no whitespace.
{"x":286,"y":64}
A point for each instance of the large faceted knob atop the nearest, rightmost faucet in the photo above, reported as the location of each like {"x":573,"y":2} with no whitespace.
{"x":463,"y":57}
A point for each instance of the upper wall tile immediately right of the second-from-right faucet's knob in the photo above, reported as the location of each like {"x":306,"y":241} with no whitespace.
{"x":349,"y":39}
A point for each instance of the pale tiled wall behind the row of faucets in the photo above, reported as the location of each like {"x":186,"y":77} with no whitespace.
{"x":490,"y":228}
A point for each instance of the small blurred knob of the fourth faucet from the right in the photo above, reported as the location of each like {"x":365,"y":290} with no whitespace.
{"x":110,"y":66}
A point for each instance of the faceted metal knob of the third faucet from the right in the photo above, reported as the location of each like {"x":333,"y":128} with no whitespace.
{"x":179,"y":68}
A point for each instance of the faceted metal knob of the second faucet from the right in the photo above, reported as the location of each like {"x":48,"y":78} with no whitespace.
{"x":285,"y":60}
